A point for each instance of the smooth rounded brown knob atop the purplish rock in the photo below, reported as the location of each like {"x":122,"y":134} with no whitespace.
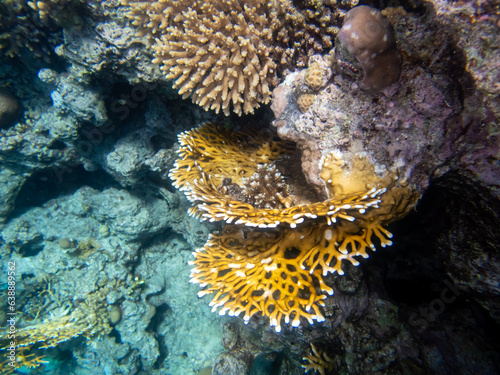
{"x":366,"y":49}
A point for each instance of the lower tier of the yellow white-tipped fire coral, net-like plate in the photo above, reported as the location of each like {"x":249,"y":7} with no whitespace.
{"x":279,"y":273}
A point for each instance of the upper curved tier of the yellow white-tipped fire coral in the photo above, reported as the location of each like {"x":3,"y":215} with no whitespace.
{"x":213,"y":161}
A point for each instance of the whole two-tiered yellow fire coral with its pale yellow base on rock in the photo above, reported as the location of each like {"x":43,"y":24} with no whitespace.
{"x":273,"y":260}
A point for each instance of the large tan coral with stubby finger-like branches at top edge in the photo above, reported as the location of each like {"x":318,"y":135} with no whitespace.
{"x":229,"y":52}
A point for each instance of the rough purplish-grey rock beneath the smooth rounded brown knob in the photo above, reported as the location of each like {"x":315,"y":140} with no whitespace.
{"x":412,"y":120}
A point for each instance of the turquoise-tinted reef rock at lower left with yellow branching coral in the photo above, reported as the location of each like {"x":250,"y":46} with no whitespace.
{"x":51,"y":244}
